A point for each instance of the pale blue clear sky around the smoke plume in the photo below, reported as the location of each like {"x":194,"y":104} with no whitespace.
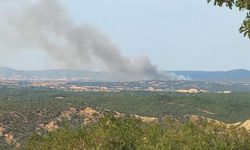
{"x":175,"y":35}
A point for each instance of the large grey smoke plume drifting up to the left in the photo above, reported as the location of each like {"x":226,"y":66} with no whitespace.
{"x":45,"y":25}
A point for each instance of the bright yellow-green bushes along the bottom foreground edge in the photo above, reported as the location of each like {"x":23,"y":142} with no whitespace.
{"x":112,"y":133}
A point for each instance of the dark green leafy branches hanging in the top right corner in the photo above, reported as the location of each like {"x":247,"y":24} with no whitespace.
{"x":242,"y":5}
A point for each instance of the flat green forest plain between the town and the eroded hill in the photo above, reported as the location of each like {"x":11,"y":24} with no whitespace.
{"x":225,"y":107}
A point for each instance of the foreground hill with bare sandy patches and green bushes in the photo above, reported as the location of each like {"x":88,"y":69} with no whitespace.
{"x":108,"y":130}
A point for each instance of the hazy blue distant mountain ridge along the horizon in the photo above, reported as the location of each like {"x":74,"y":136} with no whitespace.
{"x":238,"y":75}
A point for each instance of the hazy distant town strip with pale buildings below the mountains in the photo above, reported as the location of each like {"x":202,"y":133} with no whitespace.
{"x":190,"y":87}
